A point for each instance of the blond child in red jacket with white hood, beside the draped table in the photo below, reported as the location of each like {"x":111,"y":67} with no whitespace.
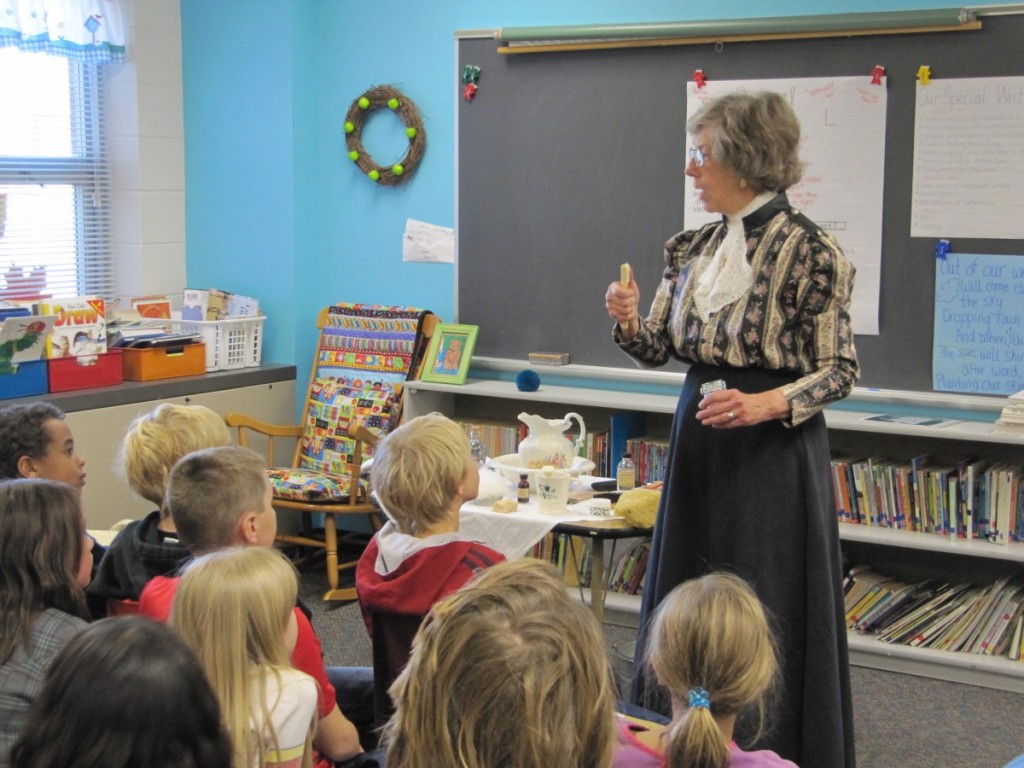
{"x":422,"y":475}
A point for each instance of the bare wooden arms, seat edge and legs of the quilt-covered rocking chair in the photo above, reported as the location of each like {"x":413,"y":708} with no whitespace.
{"x":358,"y":504}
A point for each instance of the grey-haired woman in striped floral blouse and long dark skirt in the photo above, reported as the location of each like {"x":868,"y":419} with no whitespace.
{"x":758,"y":306}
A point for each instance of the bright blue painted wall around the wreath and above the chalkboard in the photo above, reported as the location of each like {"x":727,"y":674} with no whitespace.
{"x":274,"y":207}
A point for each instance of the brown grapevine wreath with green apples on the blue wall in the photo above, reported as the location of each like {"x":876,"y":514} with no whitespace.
{"x":382,"y":97}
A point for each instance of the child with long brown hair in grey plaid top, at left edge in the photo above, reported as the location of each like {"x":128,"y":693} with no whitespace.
{"x":46,"y":563}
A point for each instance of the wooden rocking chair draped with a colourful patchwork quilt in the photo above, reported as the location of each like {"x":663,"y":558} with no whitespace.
{"x":364,"y":356}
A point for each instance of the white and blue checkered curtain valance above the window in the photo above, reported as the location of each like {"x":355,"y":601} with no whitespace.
{"x":86,"y":30}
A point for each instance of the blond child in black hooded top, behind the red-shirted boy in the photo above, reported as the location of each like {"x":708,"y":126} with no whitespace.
{"x":151,"y":547}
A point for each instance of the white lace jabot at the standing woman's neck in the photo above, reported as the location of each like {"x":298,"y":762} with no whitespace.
{"x":727,"y":276}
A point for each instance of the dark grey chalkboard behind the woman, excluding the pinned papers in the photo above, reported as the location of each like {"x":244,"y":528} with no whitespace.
{"x":572,"y":163}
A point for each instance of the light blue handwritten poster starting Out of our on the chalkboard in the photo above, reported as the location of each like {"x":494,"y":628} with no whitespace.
{"x":979,"y":325}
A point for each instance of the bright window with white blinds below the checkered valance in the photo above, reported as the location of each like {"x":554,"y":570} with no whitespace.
{"x":55,"y":181}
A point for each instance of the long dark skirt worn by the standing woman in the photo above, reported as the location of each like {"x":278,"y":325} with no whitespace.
{"x":758,"y":502}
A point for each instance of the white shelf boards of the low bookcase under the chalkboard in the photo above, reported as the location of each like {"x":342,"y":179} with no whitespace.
{"x":598,"y":393}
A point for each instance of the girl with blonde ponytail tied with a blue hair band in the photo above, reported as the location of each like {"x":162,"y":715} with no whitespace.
{"x":711,"y":647}
